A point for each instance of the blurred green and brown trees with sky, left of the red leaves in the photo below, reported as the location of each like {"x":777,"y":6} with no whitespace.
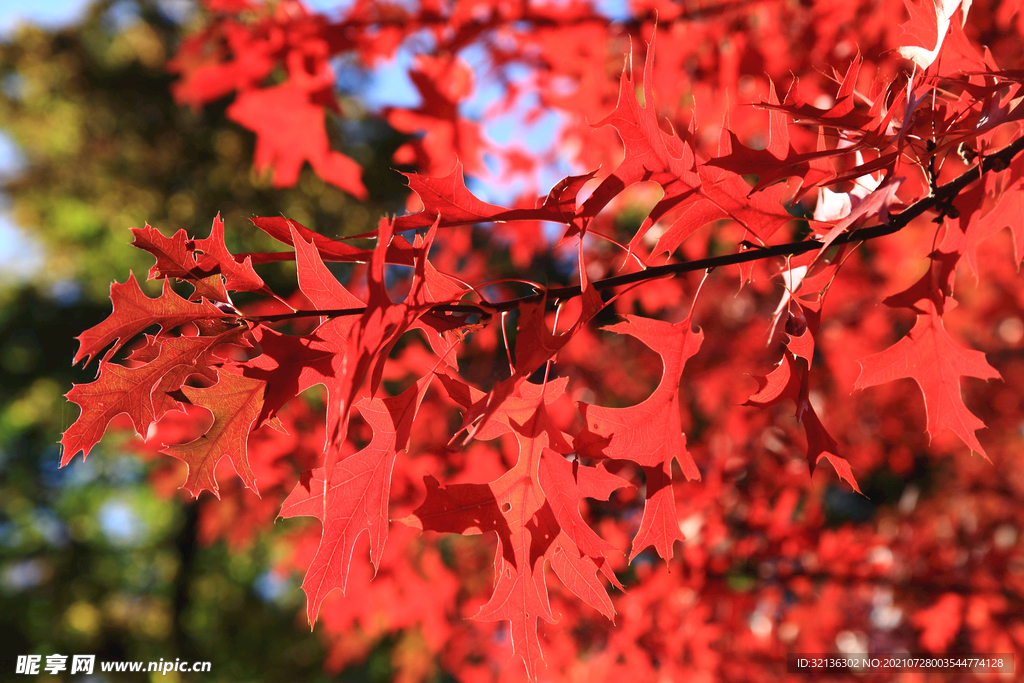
{"x":92,"y":144}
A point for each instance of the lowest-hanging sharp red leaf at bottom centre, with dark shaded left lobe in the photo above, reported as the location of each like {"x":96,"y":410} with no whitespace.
{"x":530,"y":527}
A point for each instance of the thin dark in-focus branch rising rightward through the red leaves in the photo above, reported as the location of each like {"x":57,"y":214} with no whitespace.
{"x":943,"y":196}
